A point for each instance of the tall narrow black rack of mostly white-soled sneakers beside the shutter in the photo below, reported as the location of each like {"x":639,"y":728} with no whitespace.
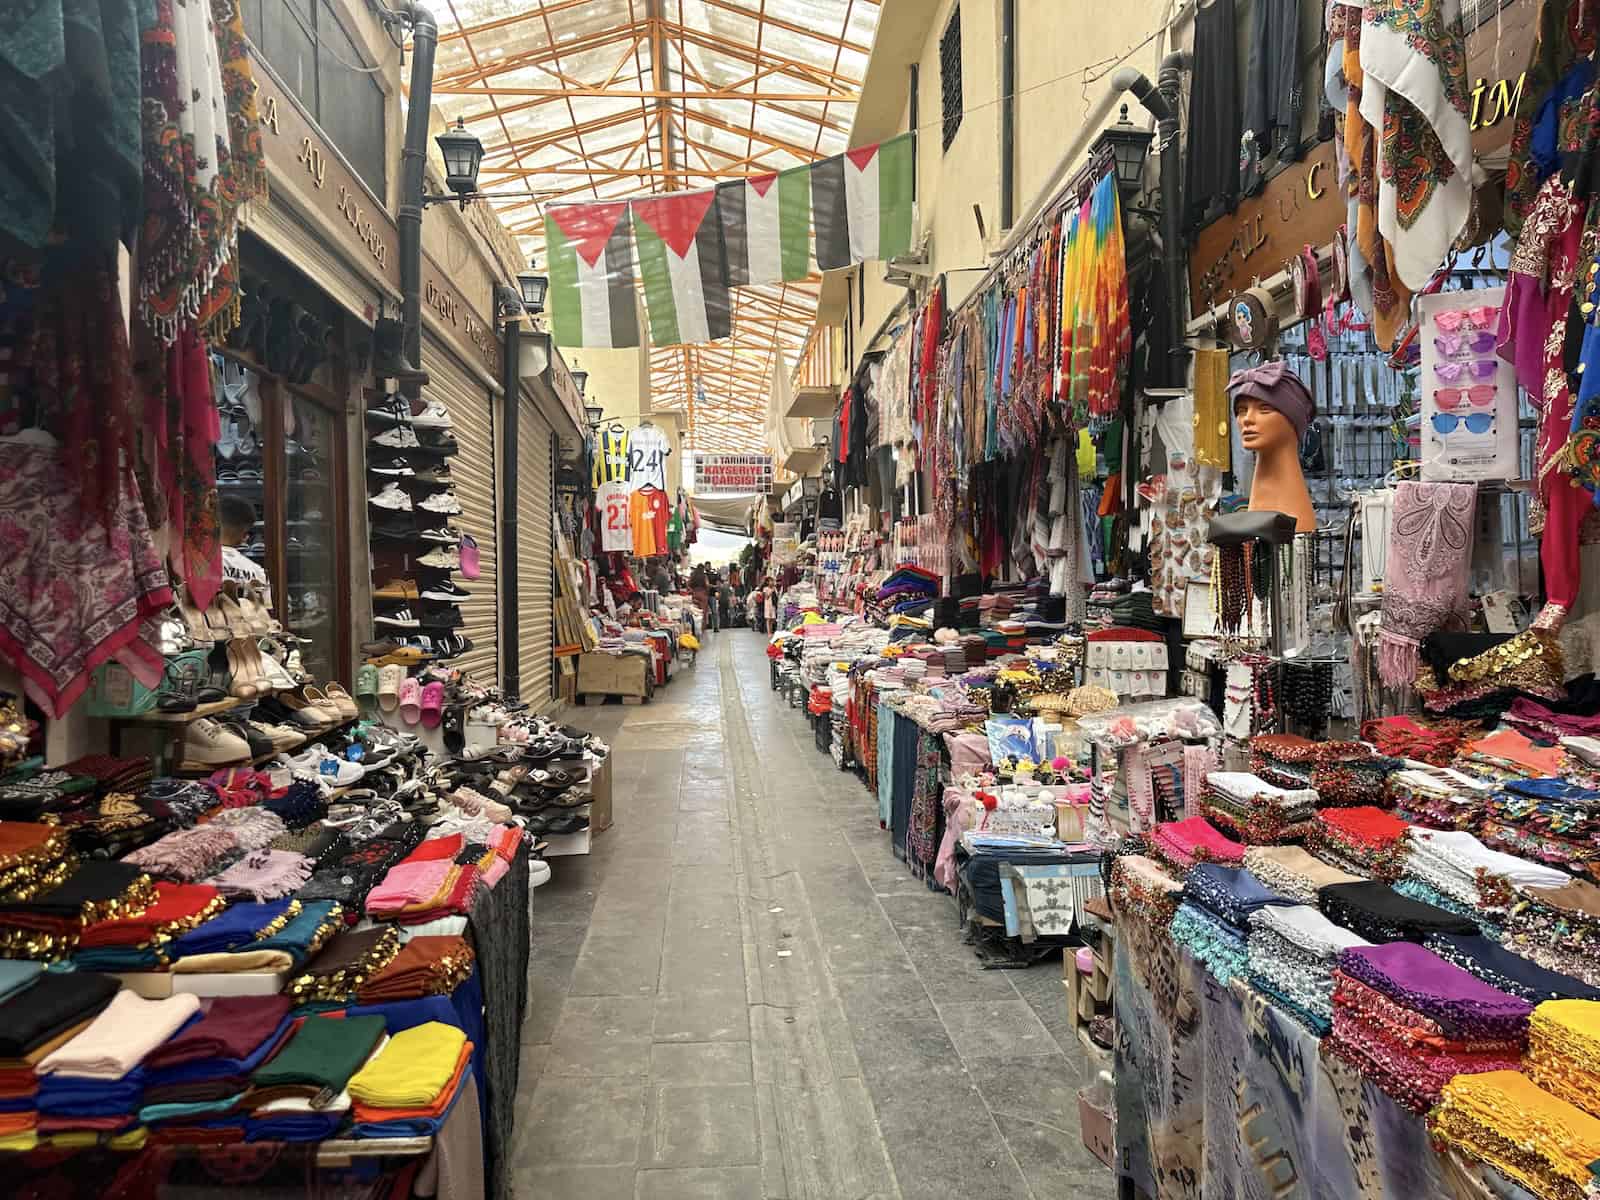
{"x":415,"y":548}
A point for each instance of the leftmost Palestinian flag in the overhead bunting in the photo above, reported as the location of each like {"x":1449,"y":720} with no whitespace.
{"x":591,"y":266}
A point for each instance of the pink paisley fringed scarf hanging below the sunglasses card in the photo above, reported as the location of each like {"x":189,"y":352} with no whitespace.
{"x":1426,"y":577}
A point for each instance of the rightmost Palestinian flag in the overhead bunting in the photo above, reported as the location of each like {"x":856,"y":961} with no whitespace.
{"x":862,"y":201}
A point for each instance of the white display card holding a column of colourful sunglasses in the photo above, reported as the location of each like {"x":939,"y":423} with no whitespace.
{"x":1470,"y":393}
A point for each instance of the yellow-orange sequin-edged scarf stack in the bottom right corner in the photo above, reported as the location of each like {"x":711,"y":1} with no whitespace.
{"x":1521,"y":1130}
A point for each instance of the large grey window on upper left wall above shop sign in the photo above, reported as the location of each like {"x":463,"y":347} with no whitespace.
{"x":318,"y":60}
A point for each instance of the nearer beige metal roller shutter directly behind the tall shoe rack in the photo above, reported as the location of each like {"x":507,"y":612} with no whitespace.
{"x":474,"y":470}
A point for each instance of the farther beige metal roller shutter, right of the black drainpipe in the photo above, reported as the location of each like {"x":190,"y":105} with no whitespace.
{"x":535,"y":617}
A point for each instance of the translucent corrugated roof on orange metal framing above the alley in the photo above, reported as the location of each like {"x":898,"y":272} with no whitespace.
{"x":617,"y":98}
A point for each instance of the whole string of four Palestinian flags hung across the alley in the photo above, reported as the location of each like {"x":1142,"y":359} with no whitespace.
{"x":694,"y":247}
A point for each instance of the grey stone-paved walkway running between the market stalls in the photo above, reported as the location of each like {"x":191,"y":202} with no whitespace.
{"x":742,"y":994}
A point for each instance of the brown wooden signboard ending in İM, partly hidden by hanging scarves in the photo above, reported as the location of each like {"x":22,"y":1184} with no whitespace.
{"x":1303,"y":204}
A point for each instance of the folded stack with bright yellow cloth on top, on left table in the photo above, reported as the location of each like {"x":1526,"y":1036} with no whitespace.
{"x":409,"y":1087}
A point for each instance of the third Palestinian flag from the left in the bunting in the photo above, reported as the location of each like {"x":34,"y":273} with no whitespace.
{"x":767,"y":226}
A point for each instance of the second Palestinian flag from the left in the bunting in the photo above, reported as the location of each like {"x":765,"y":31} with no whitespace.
{"x":679,"y":246}
